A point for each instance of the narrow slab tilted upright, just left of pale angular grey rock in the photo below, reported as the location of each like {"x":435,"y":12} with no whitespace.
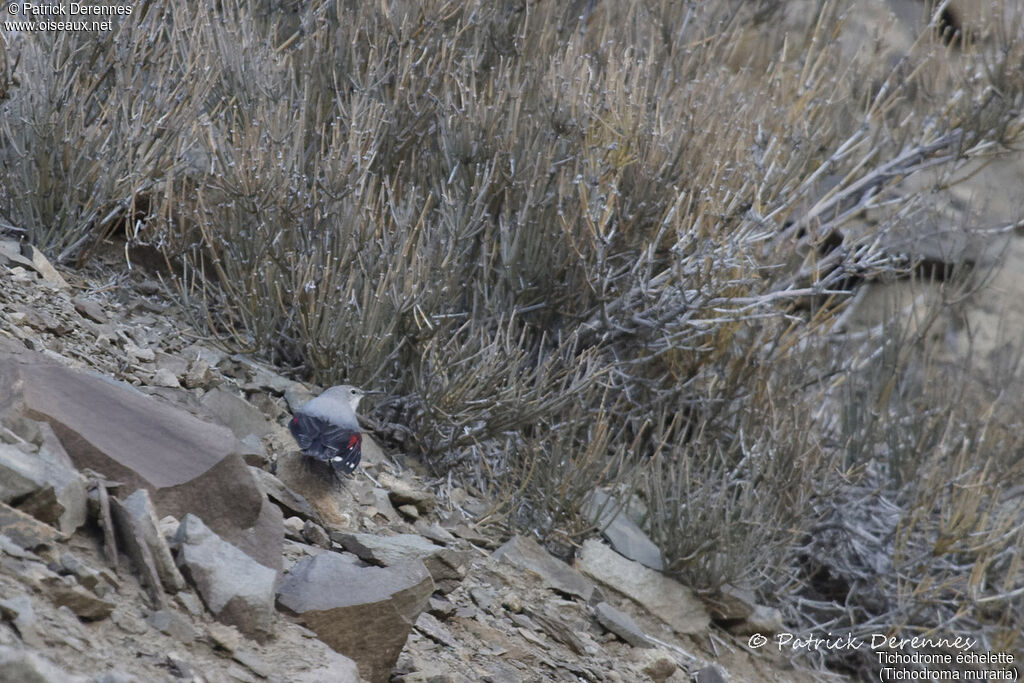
{"x":141,"y":536}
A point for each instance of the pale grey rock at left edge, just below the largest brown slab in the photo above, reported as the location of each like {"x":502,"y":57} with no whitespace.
{"x":48,"y":491}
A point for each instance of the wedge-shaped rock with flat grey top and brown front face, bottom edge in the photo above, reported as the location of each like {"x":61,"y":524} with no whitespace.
{"x":363,"y":613}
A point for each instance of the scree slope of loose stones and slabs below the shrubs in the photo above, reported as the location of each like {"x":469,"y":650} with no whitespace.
{"x":157,"y":524}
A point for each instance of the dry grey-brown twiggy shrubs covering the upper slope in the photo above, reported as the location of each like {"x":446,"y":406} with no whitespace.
{"x":580,"y":244}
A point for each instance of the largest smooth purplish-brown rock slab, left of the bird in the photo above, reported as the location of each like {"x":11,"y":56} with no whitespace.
{"x":188,"y":465}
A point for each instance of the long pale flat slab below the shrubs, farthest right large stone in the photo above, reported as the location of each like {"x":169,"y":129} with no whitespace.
{"x":669,"y":601}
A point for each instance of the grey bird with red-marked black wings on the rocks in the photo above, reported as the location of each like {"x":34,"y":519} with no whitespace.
{"x":327,"y":430}
